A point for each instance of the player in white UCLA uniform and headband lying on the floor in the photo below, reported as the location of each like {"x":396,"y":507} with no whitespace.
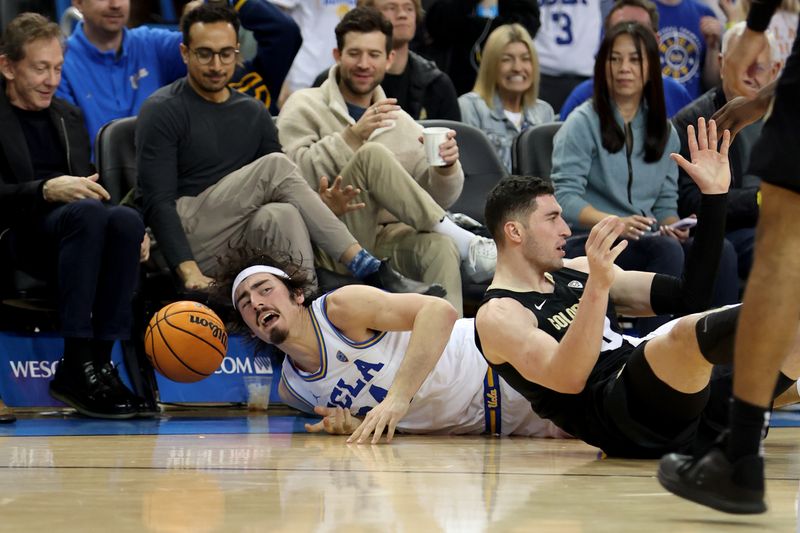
{"x":399,"y":361}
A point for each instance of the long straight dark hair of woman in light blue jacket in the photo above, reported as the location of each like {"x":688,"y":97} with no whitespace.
{"x":657,"y":125}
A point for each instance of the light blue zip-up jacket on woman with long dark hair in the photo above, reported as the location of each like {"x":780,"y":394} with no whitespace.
{"x":585,"y":173}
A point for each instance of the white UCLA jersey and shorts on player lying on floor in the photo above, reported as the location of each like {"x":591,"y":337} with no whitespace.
{"x":452,"y":400}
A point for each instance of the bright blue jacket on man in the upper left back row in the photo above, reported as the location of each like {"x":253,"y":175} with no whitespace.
{"x":106,"y":85}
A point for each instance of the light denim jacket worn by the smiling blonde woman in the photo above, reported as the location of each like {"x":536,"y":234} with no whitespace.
{"x":495,"y":124}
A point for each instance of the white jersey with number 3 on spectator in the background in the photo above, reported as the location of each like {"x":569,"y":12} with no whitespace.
{"x":569,"y":36}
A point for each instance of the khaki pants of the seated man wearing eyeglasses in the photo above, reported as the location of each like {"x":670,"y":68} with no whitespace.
{"x":266,"y":205}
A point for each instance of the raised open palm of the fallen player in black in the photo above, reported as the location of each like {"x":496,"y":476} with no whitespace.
{"x":709,"y":167}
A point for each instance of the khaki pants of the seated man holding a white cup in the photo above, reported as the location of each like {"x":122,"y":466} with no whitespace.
{"x":412,"y":248}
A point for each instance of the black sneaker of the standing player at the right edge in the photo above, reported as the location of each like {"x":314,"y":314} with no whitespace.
{"x":713,"y":481}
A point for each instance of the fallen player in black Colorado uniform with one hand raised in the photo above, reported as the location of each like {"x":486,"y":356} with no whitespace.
{"x":548,"y":325}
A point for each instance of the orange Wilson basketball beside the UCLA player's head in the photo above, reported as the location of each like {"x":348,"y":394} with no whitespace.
{"x":186,"y":341}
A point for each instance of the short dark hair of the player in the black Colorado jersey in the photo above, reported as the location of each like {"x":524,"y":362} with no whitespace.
{"x":512,"y":197}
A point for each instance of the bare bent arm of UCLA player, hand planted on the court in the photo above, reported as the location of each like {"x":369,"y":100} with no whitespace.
{"x":358,"y":309}
